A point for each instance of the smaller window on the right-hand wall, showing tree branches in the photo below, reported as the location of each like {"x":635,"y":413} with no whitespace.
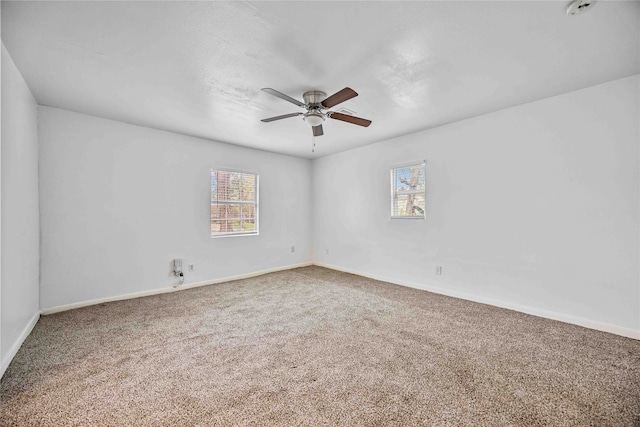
{"x":408,"y":191}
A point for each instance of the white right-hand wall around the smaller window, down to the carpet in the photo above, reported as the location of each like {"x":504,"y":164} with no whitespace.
{"x":533,"y":207}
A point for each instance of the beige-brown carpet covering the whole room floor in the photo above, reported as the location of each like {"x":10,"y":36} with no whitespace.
{"x":312,"y":346}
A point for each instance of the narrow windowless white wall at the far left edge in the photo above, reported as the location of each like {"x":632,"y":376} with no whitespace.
{"x":19,"y":217}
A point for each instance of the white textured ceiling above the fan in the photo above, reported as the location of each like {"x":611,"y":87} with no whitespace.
{"x":197,"y":67}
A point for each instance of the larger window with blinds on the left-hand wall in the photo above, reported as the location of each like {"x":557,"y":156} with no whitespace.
{"x":234,"y":203}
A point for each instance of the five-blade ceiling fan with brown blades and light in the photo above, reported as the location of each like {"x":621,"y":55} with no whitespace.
{"x":317,"y":105}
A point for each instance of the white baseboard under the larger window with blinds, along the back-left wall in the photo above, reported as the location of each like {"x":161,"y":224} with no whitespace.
{"x":66,"y":307}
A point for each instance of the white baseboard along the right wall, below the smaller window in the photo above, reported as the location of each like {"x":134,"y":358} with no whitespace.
{"x":566,"y":318}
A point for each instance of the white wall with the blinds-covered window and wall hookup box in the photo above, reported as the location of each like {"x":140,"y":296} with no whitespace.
{"x":119,"y":202}
